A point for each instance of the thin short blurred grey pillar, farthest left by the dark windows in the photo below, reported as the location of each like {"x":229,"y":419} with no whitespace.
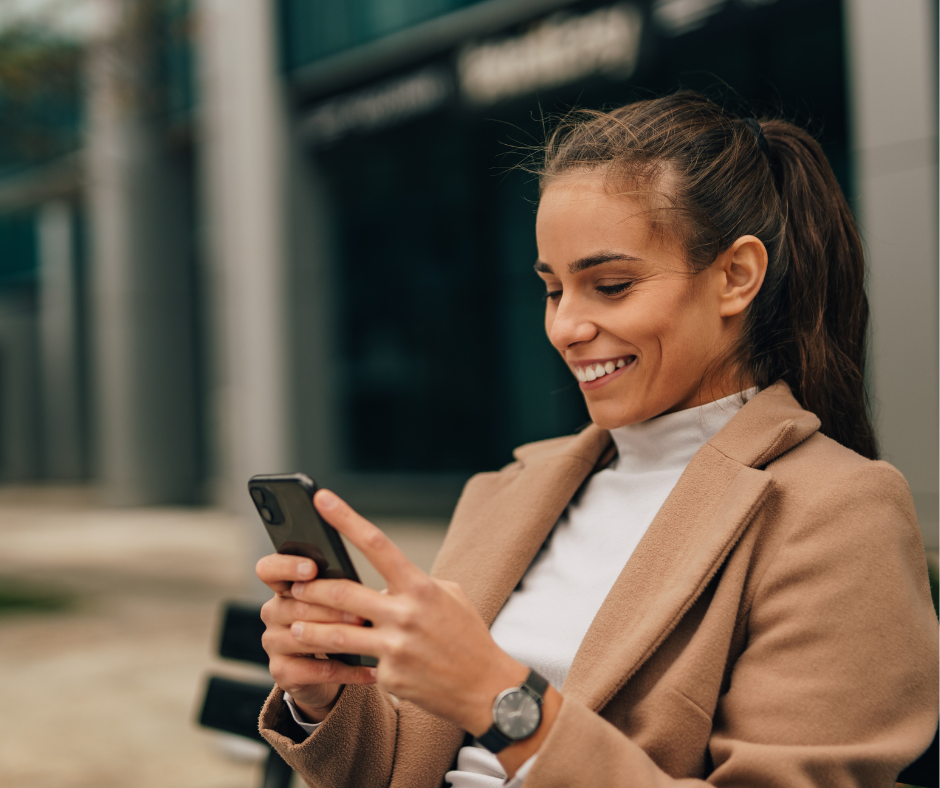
{"x":58,"y":341}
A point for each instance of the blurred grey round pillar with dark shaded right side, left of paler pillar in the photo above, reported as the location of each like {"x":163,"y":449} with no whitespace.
{"x":140,"y":282}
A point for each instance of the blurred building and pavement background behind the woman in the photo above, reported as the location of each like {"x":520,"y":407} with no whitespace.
{"x":243,"y":236}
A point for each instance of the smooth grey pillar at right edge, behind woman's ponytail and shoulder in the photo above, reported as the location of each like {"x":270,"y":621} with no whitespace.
{"x":892,"y":69}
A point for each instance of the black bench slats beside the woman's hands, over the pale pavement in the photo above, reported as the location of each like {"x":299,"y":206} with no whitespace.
{"x":234,"y":706}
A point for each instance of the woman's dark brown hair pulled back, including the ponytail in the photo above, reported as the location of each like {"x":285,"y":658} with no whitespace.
{"x":723,"y":177}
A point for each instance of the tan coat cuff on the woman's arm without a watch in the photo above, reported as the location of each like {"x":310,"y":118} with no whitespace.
{"x":354,"y":746}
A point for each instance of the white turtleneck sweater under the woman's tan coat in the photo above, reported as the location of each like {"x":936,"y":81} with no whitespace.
{"x":547,"y":616}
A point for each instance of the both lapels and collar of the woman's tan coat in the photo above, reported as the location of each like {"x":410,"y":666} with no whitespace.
{"x":699,"y":524}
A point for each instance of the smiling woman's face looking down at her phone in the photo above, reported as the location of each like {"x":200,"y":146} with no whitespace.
{"x":637,"y":330}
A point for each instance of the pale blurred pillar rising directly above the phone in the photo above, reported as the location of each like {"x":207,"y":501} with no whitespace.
{"x":243,"y":132}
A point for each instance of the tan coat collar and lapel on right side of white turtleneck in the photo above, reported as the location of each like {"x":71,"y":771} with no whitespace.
{"x":687,"y":542}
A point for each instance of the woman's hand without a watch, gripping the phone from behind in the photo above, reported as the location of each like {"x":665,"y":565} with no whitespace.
{"x":313,"y":683}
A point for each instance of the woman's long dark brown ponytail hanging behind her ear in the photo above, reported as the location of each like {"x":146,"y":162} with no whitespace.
{"x":825,"y":308}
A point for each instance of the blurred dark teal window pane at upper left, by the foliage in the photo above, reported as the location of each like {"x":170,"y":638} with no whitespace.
{"x":40,"y":97}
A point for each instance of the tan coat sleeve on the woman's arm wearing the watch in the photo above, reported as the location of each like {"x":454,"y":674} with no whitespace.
{"x":837,"y":684}
